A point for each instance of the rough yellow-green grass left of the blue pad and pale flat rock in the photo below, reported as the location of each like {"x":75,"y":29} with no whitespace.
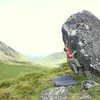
{"x":28,"y":86}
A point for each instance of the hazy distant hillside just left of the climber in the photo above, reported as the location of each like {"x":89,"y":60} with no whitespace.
{"x":53,"y":60}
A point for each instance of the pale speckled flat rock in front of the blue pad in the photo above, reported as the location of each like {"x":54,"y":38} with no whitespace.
{"x":57,"y":93}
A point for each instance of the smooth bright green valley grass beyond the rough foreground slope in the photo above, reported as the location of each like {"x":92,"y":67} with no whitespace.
{"x":10,"y":71}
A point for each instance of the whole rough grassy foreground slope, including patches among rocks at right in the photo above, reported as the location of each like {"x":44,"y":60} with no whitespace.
{"x":28,"y":87}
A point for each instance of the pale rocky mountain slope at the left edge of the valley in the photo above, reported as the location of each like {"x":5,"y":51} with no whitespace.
{"x":9,"y":54}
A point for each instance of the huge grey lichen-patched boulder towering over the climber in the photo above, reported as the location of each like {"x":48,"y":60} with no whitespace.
{"x":82,"y":32}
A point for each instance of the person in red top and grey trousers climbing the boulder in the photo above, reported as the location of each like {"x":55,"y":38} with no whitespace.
{"x":72,"y":61}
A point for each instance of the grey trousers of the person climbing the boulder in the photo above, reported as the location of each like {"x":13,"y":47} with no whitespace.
{"x":74,"y":64}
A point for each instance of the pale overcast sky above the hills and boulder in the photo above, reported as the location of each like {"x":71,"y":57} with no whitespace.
{"x":33,"y":27}
